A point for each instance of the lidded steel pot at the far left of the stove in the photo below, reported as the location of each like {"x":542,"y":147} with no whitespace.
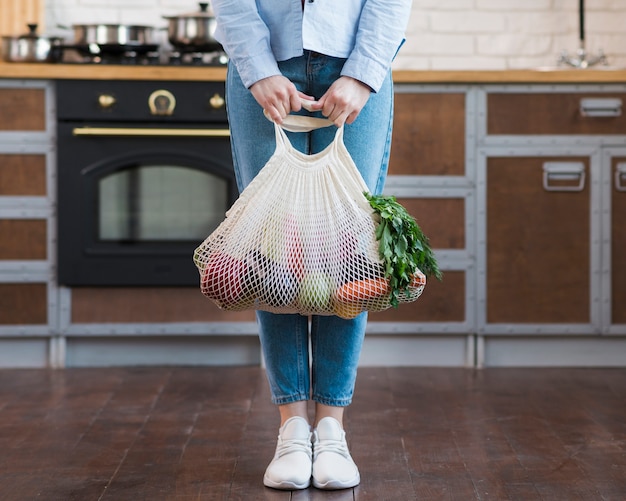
{"x":31,"y":47}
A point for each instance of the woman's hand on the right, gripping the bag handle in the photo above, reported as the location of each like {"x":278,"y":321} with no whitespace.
{"x":344,"y":100}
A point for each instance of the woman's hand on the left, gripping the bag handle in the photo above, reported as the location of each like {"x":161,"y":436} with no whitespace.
{"x":278,"y":96}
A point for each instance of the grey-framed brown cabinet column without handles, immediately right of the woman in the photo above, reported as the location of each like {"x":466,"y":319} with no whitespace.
{"x":430,"y":173}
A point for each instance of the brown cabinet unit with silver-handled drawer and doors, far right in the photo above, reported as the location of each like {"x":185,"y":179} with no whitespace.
{"x":551,"y":212}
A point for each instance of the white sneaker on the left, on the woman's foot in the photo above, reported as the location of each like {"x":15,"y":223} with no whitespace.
{"x":291,"y":466}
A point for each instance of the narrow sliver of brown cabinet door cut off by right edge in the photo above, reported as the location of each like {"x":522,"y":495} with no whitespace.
{"x":618,"y":242}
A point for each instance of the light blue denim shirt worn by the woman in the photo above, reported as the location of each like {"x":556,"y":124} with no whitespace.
{"x":257,"y":33}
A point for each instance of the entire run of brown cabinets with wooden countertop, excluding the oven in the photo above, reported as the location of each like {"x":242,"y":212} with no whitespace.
{"x":517,"y":176}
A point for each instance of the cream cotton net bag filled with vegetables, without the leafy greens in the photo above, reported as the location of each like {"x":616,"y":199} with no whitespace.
{"x":301,"y":238}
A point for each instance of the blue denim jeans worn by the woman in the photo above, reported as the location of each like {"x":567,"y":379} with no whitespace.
{"x":336,"y":343}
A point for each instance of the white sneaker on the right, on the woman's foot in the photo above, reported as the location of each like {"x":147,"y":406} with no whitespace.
{"x":333,"y":467}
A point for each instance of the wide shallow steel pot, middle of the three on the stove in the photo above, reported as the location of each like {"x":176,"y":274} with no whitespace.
{"x":112,"y":34}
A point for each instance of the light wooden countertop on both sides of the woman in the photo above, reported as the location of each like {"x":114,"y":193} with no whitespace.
{"x":114,"y":72}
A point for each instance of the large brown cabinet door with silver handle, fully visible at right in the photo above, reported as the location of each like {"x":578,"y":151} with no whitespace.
{"x":538,"y":243}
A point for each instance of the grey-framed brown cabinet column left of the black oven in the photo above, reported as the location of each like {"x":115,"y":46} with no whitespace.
{"x":27,"y":290}
